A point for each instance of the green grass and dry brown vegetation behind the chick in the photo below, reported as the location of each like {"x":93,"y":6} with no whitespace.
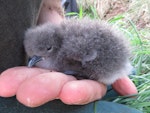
{"x":133,"y":18}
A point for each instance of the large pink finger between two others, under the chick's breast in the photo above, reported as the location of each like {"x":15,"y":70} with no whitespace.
{"x":42,"y":88}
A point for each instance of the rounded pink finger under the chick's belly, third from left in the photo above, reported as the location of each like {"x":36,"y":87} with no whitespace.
{"x":82,"y":92}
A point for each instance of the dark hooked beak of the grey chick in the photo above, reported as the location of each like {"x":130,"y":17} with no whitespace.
{"x":34,"y":60}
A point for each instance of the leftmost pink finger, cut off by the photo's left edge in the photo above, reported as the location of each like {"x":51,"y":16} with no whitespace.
{"x":11,"y":79}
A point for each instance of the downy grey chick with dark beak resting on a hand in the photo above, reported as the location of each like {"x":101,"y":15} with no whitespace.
{"x":85,"y":48}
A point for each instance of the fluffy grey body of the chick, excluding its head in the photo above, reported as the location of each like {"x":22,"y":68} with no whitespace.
{"x":94,"y":49}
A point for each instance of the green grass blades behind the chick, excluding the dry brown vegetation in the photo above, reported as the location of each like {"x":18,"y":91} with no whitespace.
{"x":140,"y":41}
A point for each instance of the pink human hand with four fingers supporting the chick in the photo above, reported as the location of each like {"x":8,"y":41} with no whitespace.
{"x":34,"y":87}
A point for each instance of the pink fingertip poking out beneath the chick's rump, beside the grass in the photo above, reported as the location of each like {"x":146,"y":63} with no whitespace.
{"x":125,"y":86}
